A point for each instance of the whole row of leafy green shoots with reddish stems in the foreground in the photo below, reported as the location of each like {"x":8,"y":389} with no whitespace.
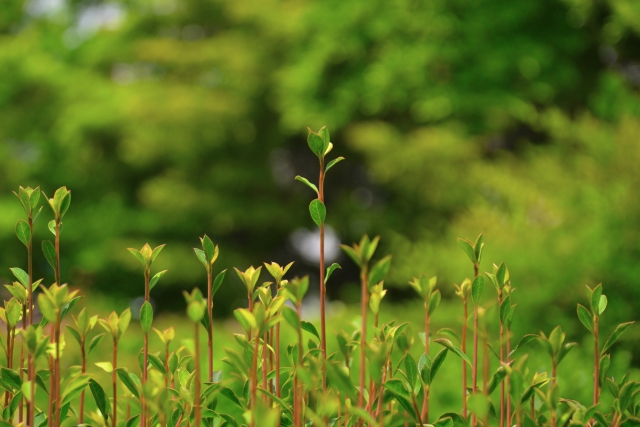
{"x":373,"y":379}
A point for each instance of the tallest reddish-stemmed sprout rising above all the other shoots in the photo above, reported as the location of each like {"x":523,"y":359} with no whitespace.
{"x":320,"y":145}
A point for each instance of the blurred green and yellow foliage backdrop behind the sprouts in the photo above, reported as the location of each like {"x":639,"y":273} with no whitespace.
{"x":169,"y":119}
